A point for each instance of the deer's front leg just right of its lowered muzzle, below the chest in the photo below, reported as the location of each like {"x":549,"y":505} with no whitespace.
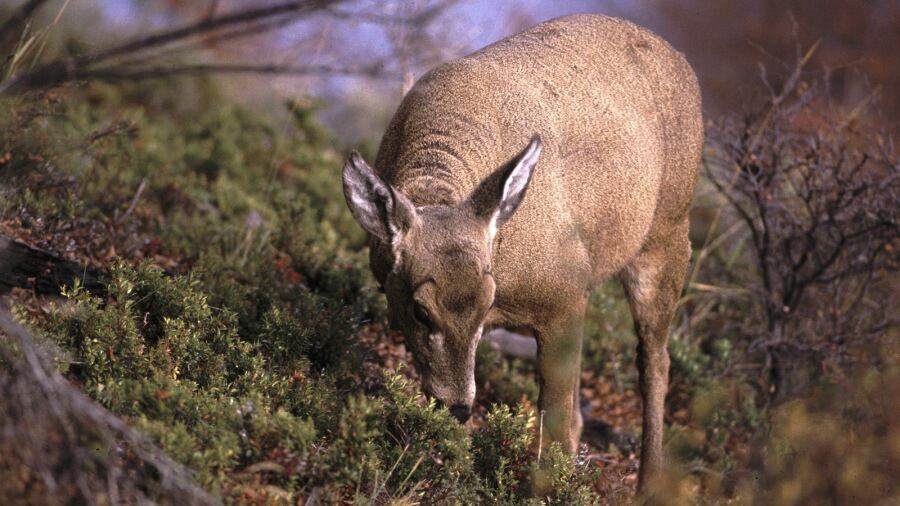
{"x":559,"y":370}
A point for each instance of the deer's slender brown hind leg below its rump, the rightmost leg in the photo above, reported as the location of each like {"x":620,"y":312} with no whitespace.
{"x":653,"y":283}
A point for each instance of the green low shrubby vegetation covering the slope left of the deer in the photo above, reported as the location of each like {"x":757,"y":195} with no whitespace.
{"x":227,"y":330}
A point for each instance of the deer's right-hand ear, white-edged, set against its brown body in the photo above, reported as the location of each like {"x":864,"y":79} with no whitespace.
{"x":499,"y":195}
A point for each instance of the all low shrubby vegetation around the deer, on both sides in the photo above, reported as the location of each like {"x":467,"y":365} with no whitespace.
{"x":240,"y":331}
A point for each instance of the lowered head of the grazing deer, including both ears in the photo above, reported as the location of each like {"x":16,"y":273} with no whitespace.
{"x":437,"y":267}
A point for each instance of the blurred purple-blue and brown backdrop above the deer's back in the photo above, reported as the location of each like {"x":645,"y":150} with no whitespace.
{"x":378,"y":48}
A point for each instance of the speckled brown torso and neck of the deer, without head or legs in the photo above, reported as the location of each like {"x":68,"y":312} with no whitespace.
{"x":618,"y":111}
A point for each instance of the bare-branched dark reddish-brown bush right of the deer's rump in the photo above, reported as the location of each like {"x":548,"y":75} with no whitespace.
{"x":814,"y":189}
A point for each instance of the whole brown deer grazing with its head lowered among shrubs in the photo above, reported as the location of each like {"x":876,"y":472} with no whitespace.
{"x":511,"y":182}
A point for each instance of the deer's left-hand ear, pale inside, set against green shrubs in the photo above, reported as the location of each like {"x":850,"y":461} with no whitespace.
{"x":380,"y":209}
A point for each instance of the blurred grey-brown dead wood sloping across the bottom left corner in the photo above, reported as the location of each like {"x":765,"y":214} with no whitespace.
{"x":66,"y":448}
